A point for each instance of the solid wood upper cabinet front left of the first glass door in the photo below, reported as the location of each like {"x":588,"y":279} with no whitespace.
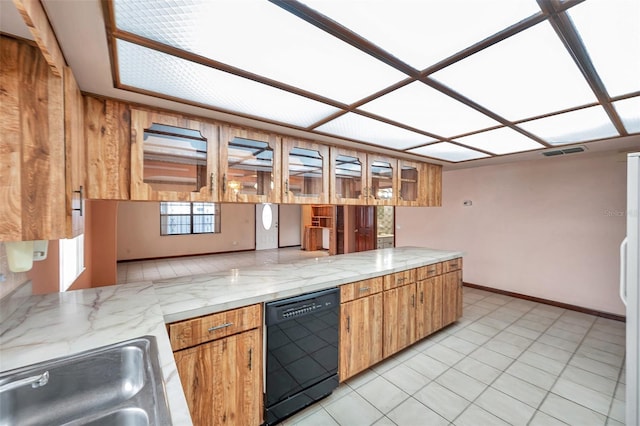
{"x":108,"y":144}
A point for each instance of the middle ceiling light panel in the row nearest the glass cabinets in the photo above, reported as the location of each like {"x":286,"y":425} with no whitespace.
{"x":365,"y":129}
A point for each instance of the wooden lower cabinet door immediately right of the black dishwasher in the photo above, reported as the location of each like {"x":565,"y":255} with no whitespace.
{"x":360,"y":335}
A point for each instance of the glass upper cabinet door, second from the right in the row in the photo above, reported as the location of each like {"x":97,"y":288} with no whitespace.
{"x":382,"y":181}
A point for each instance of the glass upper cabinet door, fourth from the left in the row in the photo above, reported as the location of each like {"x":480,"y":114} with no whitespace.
{"x":348,"y":170}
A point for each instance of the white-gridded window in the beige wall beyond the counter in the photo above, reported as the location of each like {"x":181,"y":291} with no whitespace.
{"x":189,"y":218}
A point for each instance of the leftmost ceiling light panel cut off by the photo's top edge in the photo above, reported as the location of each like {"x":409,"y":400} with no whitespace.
{"x":262,"y":38}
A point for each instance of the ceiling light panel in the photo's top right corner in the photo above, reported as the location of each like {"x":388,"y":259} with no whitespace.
{"x":610,"y":31}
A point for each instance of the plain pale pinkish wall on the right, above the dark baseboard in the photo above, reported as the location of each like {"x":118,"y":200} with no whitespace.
{"x":549,"y":228}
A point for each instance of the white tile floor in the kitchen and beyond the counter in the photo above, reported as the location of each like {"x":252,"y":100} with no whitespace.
{"x":507,"y":361}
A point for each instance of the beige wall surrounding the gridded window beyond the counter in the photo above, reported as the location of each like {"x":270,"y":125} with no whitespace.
{"x":139,"y":232}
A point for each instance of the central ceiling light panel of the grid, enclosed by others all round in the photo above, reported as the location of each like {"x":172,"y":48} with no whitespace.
{"x":420,"y":106}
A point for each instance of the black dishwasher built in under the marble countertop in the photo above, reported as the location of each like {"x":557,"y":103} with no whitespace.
{"x":302,"y":352}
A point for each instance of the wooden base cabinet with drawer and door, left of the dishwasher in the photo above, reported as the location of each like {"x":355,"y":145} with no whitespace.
{"x":219,"y":360}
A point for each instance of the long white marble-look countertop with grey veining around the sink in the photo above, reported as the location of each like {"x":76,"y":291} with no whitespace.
{"x":43,"y":327}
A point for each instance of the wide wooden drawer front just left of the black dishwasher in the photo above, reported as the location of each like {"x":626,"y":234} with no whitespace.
{"x":192,"y":332}
